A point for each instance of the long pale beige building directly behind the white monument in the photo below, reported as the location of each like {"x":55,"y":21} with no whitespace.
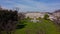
{"x":35,"y":14}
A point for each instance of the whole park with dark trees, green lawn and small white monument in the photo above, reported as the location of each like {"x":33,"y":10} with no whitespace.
{"x":11,"y":23}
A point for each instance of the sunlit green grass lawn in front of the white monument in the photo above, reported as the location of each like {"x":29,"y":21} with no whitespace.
{"x":44,"y":27}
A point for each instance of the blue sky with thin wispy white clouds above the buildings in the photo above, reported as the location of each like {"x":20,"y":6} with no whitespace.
{"x":31,"y":5}
